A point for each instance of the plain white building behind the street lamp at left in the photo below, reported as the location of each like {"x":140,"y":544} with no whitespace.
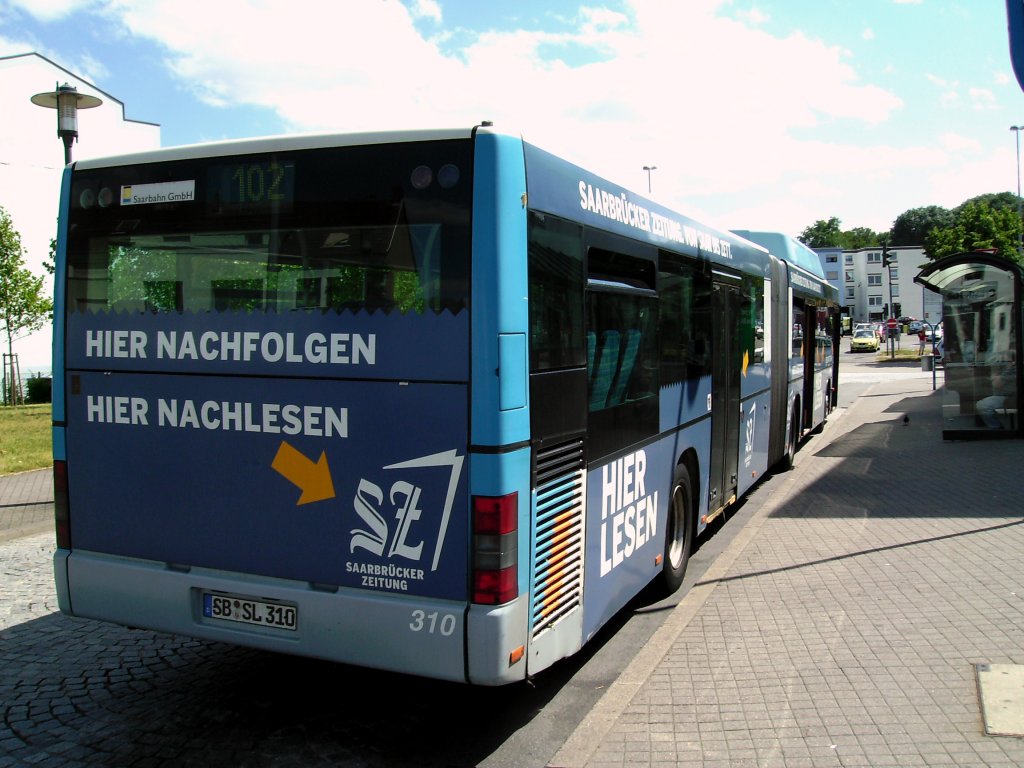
{"x":32,"y":161}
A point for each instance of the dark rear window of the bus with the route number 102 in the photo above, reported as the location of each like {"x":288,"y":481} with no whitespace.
{"x":356,"y":230}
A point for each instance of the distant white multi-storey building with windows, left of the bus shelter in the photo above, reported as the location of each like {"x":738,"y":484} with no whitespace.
{"x":871,"y":292}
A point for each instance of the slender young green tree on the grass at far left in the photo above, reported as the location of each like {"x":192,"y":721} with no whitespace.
{"x":24,"y":309}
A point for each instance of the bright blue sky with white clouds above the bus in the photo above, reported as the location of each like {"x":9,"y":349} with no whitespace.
{"x":754,"y":114}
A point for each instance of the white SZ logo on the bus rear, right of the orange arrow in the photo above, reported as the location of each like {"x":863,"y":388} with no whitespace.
{"x":419,"y":514}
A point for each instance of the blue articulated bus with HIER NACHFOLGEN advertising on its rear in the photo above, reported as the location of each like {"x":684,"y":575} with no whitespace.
{"x":431,"y":402}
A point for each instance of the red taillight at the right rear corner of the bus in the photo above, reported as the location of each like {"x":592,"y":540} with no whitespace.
{"x":496,"y":549}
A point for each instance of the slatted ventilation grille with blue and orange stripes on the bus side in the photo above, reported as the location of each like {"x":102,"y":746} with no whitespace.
{"x":561,"y":485}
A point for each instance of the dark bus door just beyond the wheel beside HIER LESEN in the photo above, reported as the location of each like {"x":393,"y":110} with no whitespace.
{"x":726,"y":393}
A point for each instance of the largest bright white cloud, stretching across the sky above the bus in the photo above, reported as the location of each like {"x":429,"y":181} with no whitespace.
{"x":720,"y":105}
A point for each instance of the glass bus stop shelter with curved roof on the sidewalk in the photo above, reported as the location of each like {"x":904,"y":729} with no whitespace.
{"x":982,"y":344}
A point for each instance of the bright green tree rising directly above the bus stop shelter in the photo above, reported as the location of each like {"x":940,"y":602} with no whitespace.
{"x":977,"y":227}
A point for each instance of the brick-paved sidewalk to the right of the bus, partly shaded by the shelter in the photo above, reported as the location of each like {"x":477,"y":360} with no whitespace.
{"x":843,"y":626}
